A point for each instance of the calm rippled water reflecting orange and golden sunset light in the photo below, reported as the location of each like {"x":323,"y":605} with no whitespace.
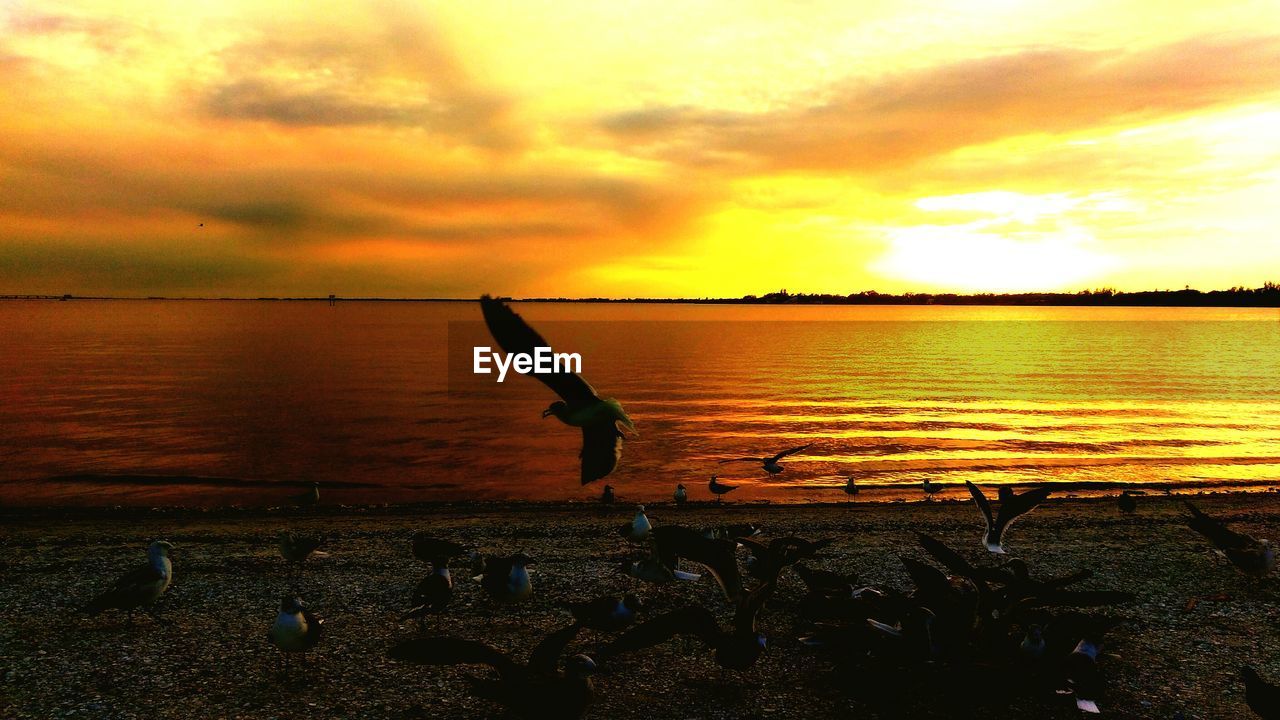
{"x":377,"y":403}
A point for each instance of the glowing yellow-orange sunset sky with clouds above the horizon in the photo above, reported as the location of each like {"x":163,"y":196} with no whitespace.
{"x":627,"y":149}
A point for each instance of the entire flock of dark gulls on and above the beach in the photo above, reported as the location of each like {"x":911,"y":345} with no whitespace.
{"x":961,"y":623}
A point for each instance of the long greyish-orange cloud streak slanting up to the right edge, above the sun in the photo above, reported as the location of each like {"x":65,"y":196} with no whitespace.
{"x":871,"y":126}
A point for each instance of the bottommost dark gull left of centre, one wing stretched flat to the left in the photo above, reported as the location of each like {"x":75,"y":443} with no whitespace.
{"x":537,"y":690}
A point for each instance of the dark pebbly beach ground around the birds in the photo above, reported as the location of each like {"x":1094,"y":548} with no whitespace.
{"x":208,"y":657}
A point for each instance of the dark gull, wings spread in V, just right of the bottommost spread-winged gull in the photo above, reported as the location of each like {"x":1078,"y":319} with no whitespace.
{"x":737,"y":649}
